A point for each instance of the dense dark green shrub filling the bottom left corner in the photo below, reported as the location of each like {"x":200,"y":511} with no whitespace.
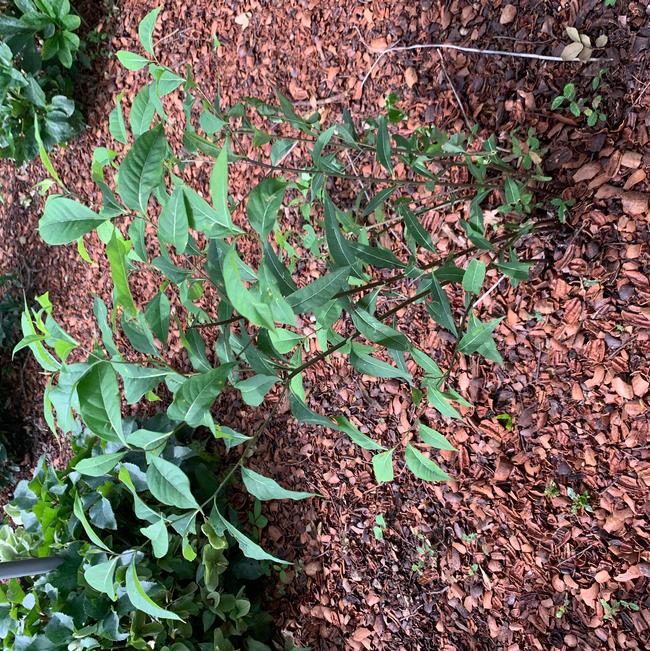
{"x":183,"y":552}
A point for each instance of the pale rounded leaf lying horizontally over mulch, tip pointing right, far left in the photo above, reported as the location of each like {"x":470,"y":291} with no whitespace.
{"x":65,"y":220}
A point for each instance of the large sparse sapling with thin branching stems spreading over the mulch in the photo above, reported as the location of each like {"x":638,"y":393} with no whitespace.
{"x":250,"y":329}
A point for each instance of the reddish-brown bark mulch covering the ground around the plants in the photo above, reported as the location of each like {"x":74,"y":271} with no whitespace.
{"x":496,"y":559}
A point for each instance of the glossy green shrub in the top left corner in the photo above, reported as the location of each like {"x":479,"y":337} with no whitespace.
{"x":38,"y":49}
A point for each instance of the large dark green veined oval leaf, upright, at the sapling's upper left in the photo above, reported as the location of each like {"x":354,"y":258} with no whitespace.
{"x":142,"y":169}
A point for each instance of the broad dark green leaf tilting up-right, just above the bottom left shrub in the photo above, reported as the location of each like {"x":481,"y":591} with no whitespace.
{"x":196,"y":395}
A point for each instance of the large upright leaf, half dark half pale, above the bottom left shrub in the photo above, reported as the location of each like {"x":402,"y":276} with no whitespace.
{"x":99,"y":402}
